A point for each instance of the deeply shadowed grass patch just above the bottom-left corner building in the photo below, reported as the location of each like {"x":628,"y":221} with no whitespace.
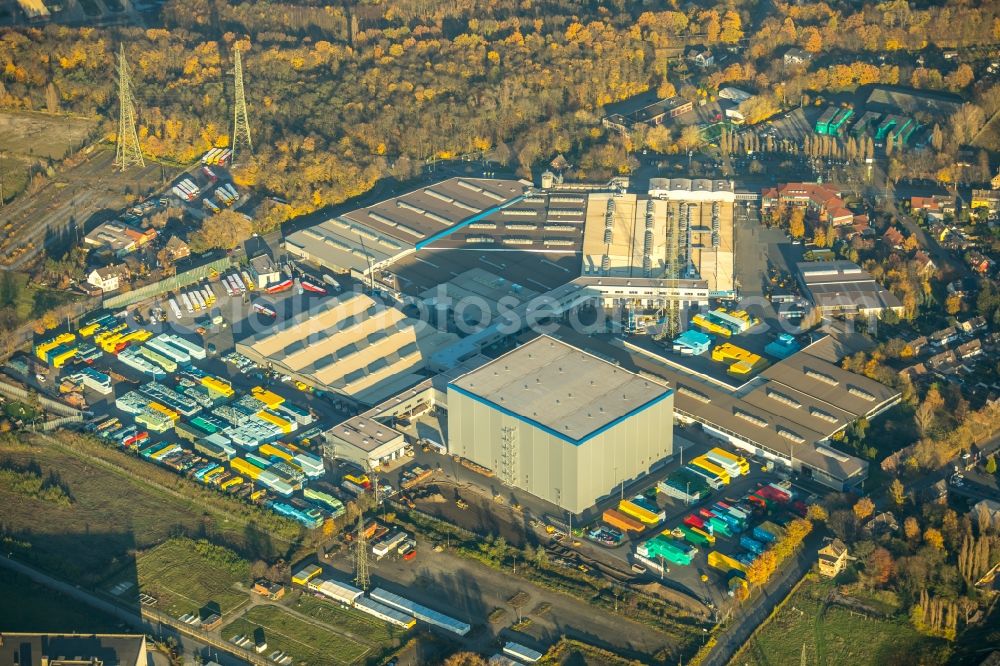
{"x":40,"y":609}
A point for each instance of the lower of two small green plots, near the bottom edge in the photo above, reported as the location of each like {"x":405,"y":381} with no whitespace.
{"x":306,"y":642}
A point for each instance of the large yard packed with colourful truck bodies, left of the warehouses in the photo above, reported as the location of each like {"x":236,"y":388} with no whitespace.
{"x":161,"y":395}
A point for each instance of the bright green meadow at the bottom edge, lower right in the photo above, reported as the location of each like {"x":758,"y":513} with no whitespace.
{"x":832,"y":635}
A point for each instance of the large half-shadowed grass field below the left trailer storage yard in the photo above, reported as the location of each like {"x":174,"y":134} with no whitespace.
{"x":112,"y":516}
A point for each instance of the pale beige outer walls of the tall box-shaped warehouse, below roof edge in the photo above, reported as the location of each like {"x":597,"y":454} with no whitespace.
{"x":571,"y":476}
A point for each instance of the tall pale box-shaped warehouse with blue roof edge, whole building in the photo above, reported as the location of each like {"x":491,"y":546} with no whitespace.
{"x":563,"y":425}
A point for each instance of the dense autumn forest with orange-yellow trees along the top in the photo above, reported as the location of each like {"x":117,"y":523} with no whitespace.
{"x":343,"y":95}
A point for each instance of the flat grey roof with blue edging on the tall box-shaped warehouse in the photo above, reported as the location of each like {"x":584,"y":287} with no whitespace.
{"x":561,"y":389}
